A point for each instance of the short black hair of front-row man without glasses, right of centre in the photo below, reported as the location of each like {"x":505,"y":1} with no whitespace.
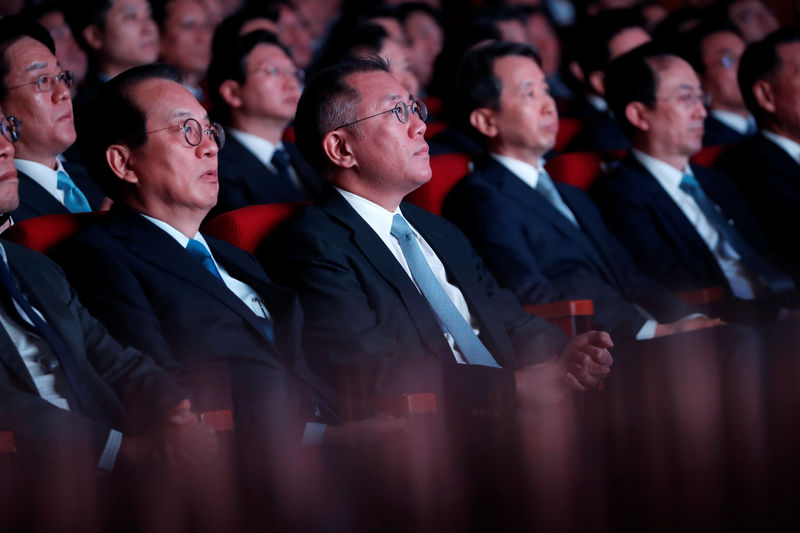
{"x":476,"y":85}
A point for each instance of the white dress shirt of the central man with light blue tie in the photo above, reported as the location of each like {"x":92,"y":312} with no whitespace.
{"x":380,"y":220}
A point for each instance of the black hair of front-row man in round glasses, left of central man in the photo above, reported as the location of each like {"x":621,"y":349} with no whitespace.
{"x":128,"y":127}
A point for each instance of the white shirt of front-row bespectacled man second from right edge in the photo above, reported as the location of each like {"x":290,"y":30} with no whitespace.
{"x":728,"y":259}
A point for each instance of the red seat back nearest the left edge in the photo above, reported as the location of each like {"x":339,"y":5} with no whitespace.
{"x":44,"y":232}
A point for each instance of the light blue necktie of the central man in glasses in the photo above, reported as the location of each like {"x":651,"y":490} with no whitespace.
{"x":468,"y":343}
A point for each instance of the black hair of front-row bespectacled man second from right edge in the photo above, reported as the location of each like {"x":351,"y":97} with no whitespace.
{"x":632,"y":78}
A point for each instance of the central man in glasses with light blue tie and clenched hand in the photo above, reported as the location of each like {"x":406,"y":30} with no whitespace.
{"x":395,"y":298}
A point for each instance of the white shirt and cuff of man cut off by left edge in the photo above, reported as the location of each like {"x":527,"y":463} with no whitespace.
{"x":32,"y":348}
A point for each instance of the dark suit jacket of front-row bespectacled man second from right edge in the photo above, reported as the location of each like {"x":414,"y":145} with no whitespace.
{"x":658,"y":235}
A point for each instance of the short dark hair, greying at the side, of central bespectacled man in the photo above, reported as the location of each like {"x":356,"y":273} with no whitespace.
{"x":327,"y":102}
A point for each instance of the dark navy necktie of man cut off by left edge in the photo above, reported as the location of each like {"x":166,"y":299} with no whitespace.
{"x":64,"y":356}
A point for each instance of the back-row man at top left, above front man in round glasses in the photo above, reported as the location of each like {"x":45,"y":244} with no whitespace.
{"x":116,"y":35}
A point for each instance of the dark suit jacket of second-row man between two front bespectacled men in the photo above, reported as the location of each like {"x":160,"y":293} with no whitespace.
{"x":244,"y":180}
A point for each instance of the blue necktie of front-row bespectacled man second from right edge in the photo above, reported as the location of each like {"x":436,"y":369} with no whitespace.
{"x":776,"y":281}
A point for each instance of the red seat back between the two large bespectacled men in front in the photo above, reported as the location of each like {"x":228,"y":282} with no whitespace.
{"x":248,"y":226}
